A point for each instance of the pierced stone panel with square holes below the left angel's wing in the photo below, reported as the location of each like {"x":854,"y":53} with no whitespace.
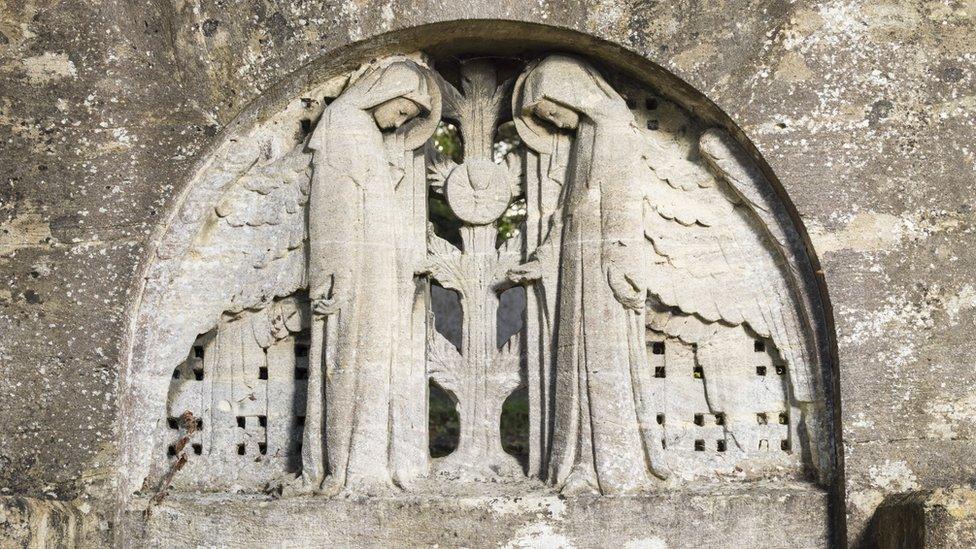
{"x":236,"y":405}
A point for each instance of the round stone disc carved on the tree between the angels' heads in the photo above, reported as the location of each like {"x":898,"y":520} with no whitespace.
{"x":478,"y":191}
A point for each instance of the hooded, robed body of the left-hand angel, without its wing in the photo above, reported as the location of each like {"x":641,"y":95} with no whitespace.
{"x":354,"y":273}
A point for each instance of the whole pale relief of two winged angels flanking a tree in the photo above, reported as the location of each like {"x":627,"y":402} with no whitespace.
{"x":668,"y":328}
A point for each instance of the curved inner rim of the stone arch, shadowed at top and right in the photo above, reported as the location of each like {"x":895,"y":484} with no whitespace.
{"x":146,"y":371}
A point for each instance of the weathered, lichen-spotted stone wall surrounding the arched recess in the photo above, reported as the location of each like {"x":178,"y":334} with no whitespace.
{"x":864,"y":111}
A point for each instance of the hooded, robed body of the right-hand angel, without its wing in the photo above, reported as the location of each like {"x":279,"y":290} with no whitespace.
{"x":597,"y":443}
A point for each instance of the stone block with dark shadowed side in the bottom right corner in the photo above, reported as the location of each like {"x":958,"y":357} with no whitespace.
{"x":942,"y":518}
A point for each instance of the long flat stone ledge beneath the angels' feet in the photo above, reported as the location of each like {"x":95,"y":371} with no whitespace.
{"x":737,"y":516}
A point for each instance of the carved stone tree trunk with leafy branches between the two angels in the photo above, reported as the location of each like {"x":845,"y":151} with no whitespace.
{"x":479,"y":376}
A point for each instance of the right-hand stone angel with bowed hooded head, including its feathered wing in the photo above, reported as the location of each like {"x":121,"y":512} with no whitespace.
{"x":632,"y":230}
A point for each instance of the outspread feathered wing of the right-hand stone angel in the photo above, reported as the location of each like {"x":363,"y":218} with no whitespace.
{"x":713,"y":257}
